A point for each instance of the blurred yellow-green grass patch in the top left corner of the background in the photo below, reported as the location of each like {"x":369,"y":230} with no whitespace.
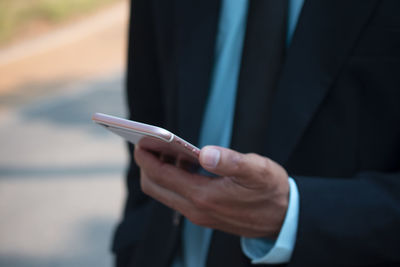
{"x":16,"y":14}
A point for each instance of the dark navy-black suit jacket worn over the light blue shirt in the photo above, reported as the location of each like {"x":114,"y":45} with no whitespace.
{"x":334,"y":123}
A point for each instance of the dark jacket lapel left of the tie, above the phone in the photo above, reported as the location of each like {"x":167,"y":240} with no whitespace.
{"x":197,"y":24}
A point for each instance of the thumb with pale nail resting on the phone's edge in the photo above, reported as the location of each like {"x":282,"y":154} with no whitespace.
{"x":227,"y":162}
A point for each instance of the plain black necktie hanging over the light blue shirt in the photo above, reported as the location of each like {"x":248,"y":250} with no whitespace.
{"x":262,"y":59}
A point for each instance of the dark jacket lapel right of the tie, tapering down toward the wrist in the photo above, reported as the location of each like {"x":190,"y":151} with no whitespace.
{"x":326,"y":33}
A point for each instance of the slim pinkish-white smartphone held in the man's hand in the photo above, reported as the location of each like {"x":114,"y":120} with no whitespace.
{"x":153,"y":138}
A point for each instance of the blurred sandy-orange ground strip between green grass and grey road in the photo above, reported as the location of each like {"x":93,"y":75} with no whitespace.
{"x":91,"y":48}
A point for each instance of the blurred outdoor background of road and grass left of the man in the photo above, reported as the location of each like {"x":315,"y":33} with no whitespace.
{"x":61,"y":176}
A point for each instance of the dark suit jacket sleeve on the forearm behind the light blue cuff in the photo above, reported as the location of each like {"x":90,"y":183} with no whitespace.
{"x":349,"y":222}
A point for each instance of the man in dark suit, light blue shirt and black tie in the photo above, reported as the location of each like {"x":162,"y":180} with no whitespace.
{"x":321,"y":108}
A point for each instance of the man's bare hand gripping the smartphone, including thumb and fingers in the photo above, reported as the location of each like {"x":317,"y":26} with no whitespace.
{"x":250,"y":198}
